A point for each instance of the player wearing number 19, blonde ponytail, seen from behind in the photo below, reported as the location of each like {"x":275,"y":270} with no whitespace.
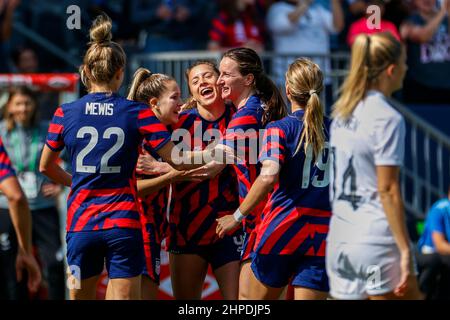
{"x":290,"y":239}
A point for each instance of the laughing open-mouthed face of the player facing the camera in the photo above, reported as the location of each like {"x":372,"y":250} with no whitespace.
{"x":203,"y":85}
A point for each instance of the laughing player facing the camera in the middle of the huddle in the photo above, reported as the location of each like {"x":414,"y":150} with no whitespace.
{"x":192,"y":240}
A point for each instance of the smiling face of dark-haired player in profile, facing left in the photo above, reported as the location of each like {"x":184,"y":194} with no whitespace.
{"x":232,"y":83}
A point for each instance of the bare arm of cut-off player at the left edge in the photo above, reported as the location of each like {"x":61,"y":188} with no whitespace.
{"x":21,"y":220}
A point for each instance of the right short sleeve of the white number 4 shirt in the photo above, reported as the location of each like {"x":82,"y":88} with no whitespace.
{"x":389,"y":144}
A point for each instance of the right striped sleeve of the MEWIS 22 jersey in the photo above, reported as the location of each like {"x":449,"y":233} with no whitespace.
{"x":156,"y":135}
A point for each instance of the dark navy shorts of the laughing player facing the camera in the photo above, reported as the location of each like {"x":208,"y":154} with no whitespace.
{"x":218,"y":254}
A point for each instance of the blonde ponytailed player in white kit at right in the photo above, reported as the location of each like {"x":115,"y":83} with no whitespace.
{"x":368,"y":254}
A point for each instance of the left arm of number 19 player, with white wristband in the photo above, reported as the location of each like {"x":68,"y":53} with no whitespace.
{"x":263,"y":184}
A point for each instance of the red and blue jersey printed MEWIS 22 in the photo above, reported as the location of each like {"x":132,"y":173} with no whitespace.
{"x":102,"y":133}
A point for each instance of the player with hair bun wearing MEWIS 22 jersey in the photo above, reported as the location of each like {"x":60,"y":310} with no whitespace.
{"x":102,"y":132}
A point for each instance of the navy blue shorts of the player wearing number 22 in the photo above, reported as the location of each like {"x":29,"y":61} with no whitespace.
{"x":120,"y":249}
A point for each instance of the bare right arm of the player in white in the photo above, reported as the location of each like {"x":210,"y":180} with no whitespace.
{"x":391,"y":200}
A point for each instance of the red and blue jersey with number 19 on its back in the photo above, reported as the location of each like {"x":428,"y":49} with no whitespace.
{"x":297,"y":215}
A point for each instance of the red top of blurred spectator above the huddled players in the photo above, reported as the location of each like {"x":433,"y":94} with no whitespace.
{"x":237,"y":33}
